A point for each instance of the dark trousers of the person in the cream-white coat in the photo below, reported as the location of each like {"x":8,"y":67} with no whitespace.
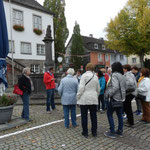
{"x":84,"y":118}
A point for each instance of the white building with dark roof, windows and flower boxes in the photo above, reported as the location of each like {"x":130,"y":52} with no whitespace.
{"x":28,"y":47}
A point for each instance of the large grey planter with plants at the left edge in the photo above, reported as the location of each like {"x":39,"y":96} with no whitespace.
{"x":6,"y":107}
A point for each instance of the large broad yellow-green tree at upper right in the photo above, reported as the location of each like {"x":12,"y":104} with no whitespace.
{"x":129,"y":31}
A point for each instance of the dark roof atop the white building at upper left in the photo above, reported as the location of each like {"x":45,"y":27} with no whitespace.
{"x":32,"y":4}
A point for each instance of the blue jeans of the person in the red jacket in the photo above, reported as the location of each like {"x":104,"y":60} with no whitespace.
{"x":50,"y":99}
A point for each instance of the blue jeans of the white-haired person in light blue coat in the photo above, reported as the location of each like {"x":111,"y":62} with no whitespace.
{"x":66,"y":109}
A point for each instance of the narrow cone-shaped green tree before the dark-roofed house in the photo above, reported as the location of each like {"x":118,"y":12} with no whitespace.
{"x":77,"y":47}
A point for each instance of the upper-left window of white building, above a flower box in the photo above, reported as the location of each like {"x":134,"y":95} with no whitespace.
{"x":17,"y":17}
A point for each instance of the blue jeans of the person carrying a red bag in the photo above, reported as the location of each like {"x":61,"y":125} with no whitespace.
{"x":25,"y":111}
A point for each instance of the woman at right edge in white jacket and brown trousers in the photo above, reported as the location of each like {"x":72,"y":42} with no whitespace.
{"x":144,"y":90}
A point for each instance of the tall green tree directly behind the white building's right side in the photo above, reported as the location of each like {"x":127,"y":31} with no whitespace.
{"x":61,"y":31}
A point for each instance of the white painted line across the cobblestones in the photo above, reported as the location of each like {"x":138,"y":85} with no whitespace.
{"x":33,"y":128}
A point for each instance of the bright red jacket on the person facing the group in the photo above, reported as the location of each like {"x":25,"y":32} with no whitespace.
{"x":49,"y":83}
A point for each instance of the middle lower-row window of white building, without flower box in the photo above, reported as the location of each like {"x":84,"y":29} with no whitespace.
{"x":25,"y":48}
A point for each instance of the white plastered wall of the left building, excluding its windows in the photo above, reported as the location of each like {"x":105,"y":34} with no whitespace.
{"x":28,"y":35}
